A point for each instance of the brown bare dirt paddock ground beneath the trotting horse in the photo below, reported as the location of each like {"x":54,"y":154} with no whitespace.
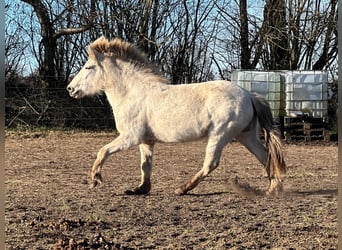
{"x":49,"y":206}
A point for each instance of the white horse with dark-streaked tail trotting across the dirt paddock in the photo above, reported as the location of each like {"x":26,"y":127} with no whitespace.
{"x":148,"y":110}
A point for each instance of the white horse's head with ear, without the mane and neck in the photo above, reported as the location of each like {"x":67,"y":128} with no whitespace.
{"x":90,"y":79}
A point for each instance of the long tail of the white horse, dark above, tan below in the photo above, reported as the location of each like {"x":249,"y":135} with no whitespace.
{"x":275,"y":165}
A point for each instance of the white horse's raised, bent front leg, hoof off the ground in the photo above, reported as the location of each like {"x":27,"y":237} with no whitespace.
{"x":120,"y":143}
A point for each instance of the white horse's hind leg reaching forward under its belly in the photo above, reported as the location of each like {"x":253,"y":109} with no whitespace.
{"x":211,"y":161}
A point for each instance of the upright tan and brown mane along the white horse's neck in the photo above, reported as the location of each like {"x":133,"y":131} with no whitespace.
{"x":125,"y":51}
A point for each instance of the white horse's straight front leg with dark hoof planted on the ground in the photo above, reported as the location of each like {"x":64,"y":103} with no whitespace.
{"x":146,"y":152}
